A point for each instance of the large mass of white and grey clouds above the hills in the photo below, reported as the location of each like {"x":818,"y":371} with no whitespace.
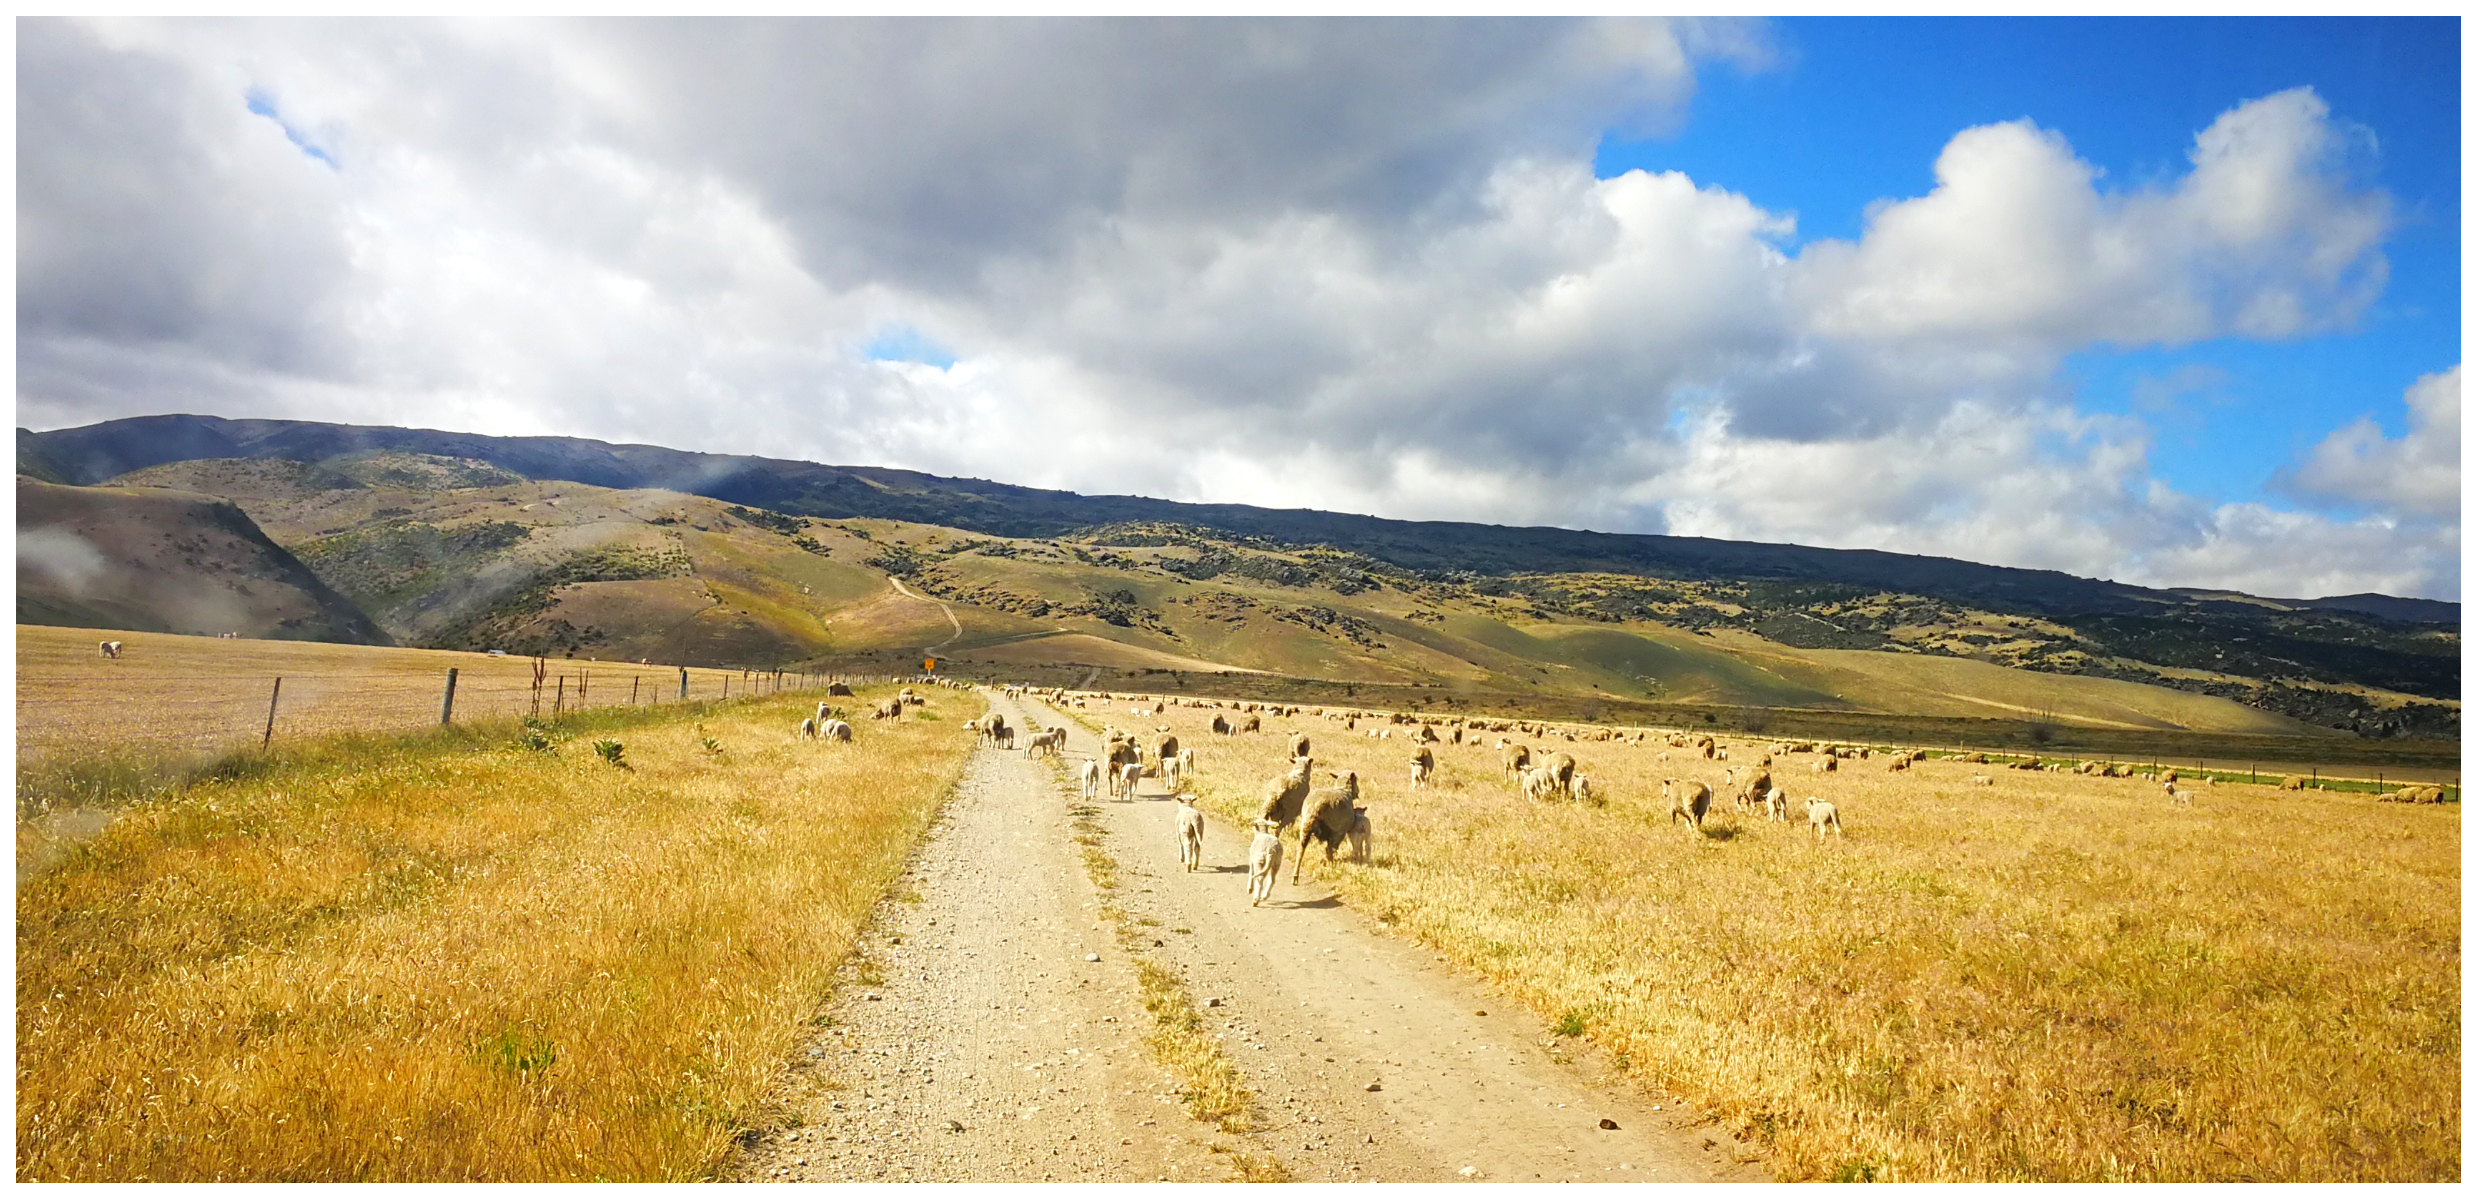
{"x":1346,"y":264}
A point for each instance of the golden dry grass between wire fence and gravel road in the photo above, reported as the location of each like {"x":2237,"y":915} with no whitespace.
{"x":452,"y":957}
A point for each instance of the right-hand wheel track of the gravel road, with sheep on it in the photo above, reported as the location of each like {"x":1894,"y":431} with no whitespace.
{"x":1371,"y":1059}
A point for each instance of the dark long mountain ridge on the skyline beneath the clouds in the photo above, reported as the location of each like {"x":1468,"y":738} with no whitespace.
{"x":93,"y":455}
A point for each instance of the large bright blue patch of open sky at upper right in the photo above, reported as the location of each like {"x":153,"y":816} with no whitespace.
{"x":1854,"y":110}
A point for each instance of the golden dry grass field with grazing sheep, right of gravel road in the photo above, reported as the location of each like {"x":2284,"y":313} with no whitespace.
{"x":2050,"y":977}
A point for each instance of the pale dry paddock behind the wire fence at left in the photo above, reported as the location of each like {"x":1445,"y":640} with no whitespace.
{"x":204,"y":695}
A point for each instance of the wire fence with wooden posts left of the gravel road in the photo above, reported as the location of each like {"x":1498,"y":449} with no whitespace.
{"x":189,"y":712}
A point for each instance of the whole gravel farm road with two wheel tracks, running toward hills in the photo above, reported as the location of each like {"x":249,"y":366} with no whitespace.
{"x":1004,"y":1037}
